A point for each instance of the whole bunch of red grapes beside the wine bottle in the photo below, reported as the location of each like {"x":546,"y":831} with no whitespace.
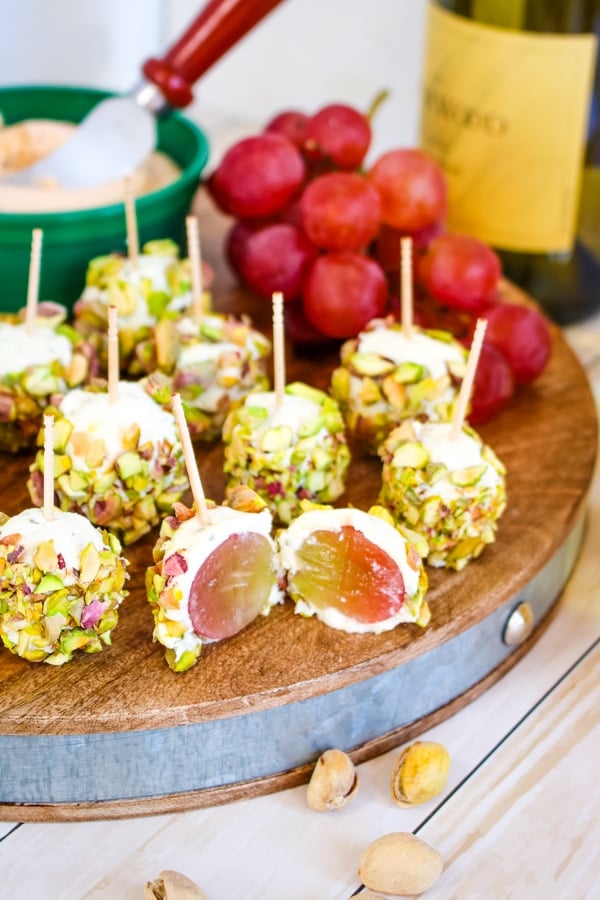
{"x":317,"y":223}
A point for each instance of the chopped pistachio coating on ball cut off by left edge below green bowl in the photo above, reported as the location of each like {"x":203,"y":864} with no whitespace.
{"x":24,"y":394}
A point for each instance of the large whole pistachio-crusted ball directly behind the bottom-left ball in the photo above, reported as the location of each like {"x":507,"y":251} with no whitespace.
{"x":120,"y":464}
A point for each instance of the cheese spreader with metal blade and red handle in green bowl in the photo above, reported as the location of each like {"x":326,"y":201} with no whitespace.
{"x":120,"y":132}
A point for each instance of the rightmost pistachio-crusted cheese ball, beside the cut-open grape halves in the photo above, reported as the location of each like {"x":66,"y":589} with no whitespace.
{"x":452,"y":491}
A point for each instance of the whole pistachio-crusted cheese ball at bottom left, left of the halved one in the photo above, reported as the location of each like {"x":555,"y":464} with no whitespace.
{"x":61,"y":584}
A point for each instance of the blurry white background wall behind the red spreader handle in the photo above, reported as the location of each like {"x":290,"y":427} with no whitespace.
{"x":304,"y":54}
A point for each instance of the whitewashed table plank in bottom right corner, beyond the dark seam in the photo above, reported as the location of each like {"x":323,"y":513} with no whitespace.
{"x":501,"y":821}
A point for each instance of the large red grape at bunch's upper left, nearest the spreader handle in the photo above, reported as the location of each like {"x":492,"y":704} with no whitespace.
{"x":257,"y":176}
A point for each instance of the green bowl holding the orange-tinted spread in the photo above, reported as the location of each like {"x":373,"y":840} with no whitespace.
{"x":71,"y":239}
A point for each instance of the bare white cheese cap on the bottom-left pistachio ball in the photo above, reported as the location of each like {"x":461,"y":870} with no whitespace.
{"x":70,"y":532}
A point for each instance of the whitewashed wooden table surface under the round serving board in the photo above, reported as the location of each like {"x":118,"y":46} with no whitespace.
{"x":520,"y":817}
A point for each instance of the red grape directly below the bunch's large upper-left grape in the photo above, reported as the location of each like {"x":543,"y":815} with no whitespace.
{"x":276,"y":257}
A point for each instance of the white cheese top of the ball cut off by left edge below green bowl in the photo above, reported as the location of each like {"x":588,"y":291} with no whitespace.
{"x":20,"y":350}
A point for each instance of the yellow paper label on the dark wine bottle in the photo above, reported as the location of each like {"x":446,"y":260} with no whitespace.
{"x":505,"y":113}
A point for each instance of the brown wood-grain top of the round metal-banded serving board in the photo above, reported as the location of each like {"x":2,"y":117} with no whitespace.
{"x":547,"y":439}
